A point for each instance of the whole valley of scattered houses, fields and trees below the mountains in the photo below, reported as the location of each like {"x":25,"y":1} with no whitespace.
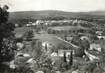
{"x":62,"y":46}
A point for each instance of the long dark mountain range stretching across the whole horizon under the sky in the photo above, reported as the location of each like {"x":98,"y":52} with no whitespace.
{"x":17,"y":16}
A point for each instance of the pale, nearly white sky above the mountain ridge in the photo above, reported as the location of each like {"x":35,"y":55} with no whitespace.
{"x":64,"y":5}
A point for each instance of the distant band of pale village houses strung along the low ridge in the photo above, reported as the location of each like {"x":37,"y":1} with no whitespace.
{"x":54,"y":22}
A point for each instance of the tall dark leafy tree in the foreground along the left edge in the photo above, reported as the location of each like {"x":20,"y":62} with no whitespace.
{"x":7,"y":44}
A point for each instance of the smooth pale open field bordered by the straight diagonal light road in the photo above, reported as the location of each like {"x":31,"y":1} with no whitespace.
{"x":56,"y":41}
